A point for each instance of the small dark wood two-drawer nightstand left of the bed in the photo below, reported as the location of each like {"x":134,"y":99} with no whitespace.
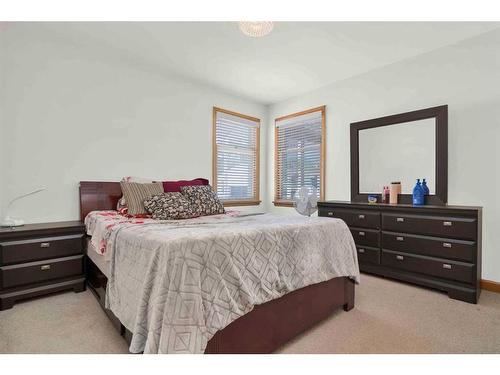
{"x":38,"y":259}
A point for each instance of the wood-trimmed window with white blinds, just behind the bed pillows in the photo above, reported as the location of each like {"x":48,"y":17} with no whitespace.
{"x":236,"y":140}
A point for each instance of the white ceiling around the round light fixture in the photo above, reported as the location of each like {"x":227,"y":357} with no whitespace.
{"x":295,"y":58}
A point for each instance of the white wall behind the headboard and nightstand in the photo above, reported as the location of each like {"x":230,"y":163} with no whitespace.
{"x":74,"y":113}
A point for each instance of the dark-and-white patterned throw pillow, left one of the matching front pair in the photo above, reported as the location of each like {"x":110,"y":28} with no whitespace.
{"x":169,"y":206}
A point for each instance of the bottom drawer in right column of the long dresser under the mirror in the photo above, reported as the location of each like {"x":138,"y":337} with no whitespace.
{"x":442,"y":268}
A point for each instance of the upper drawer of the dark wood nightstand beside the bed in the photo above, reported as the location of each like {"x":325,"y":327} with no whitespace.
{"x":40,"y":248}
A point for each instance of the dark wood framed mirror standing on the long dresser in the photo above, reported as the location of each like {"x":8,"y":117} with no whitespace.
{"x":401,"y":148}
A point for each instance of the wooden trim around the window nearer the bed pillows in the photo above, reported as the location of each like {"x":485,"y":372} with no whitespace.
{"x":255,"y":201}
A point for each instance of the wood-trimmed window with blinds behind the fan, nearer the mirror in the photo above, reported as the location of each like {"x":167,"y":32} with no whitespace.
{"x":299,"y":154}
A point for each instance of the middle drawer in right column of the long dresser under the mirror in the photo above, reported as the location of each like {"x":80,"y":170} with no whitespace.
{"x":433,"y":246}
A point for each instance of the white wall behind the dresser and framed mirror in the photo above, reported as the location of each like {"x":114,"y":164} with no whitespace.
{"x":466,"y":76}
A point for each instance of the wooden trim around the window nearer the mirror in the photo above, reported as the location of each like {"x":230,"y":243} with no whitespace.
{"x":288,"y":203}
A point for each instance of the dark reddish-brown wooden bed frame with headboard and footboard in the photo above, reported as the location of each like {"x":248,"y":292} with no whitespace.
{"x":266,"y":327}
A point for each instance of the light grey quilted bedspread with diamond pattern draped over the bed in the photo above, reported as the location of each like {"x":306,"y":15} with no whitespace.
{"x":175,"y":284}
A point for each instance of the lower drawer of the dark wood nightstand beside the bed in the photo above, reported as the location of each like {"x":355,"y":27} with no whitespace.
{"x":34,"y":272}
